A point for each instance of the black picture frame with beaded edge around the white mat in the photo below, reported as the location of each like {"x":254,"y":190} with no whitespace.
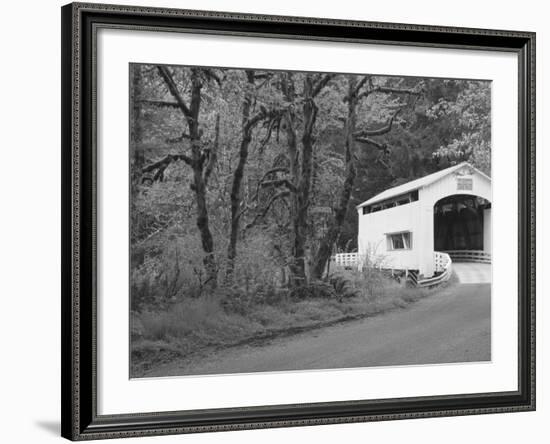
{"x":79,"y":396}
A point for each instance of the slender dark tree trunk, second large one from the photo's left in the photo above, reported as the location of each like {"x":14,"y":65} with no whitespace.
{"x":238,"y":178}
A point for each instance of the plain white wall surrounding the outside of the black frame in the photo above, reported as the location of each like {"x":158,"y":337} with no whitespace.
{"x":30,"y":233}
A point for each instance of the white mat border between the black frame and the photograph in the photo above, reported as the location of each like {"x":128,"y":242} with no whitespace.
{"x":117,"y":394}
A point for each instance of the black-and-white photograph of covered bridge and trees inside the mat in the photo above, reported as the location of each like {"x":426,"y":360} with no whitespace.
{"x":294,"y":220}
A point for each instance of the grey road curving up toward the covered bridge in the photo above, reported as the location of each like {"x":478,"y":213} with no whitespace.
{"x":450,"y":326}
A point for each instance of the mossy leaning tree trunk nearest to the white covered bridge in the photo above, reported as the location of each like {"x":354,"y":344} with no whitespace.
{"x":325,"y":248}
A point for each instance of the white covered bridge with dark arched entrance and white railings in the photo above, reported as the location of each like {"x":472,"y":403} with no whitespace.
{"x":419,"y":226}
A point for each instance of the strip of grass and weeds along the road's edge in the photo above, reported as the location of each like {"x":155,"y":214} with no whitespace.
{"x":202,"y":324}
